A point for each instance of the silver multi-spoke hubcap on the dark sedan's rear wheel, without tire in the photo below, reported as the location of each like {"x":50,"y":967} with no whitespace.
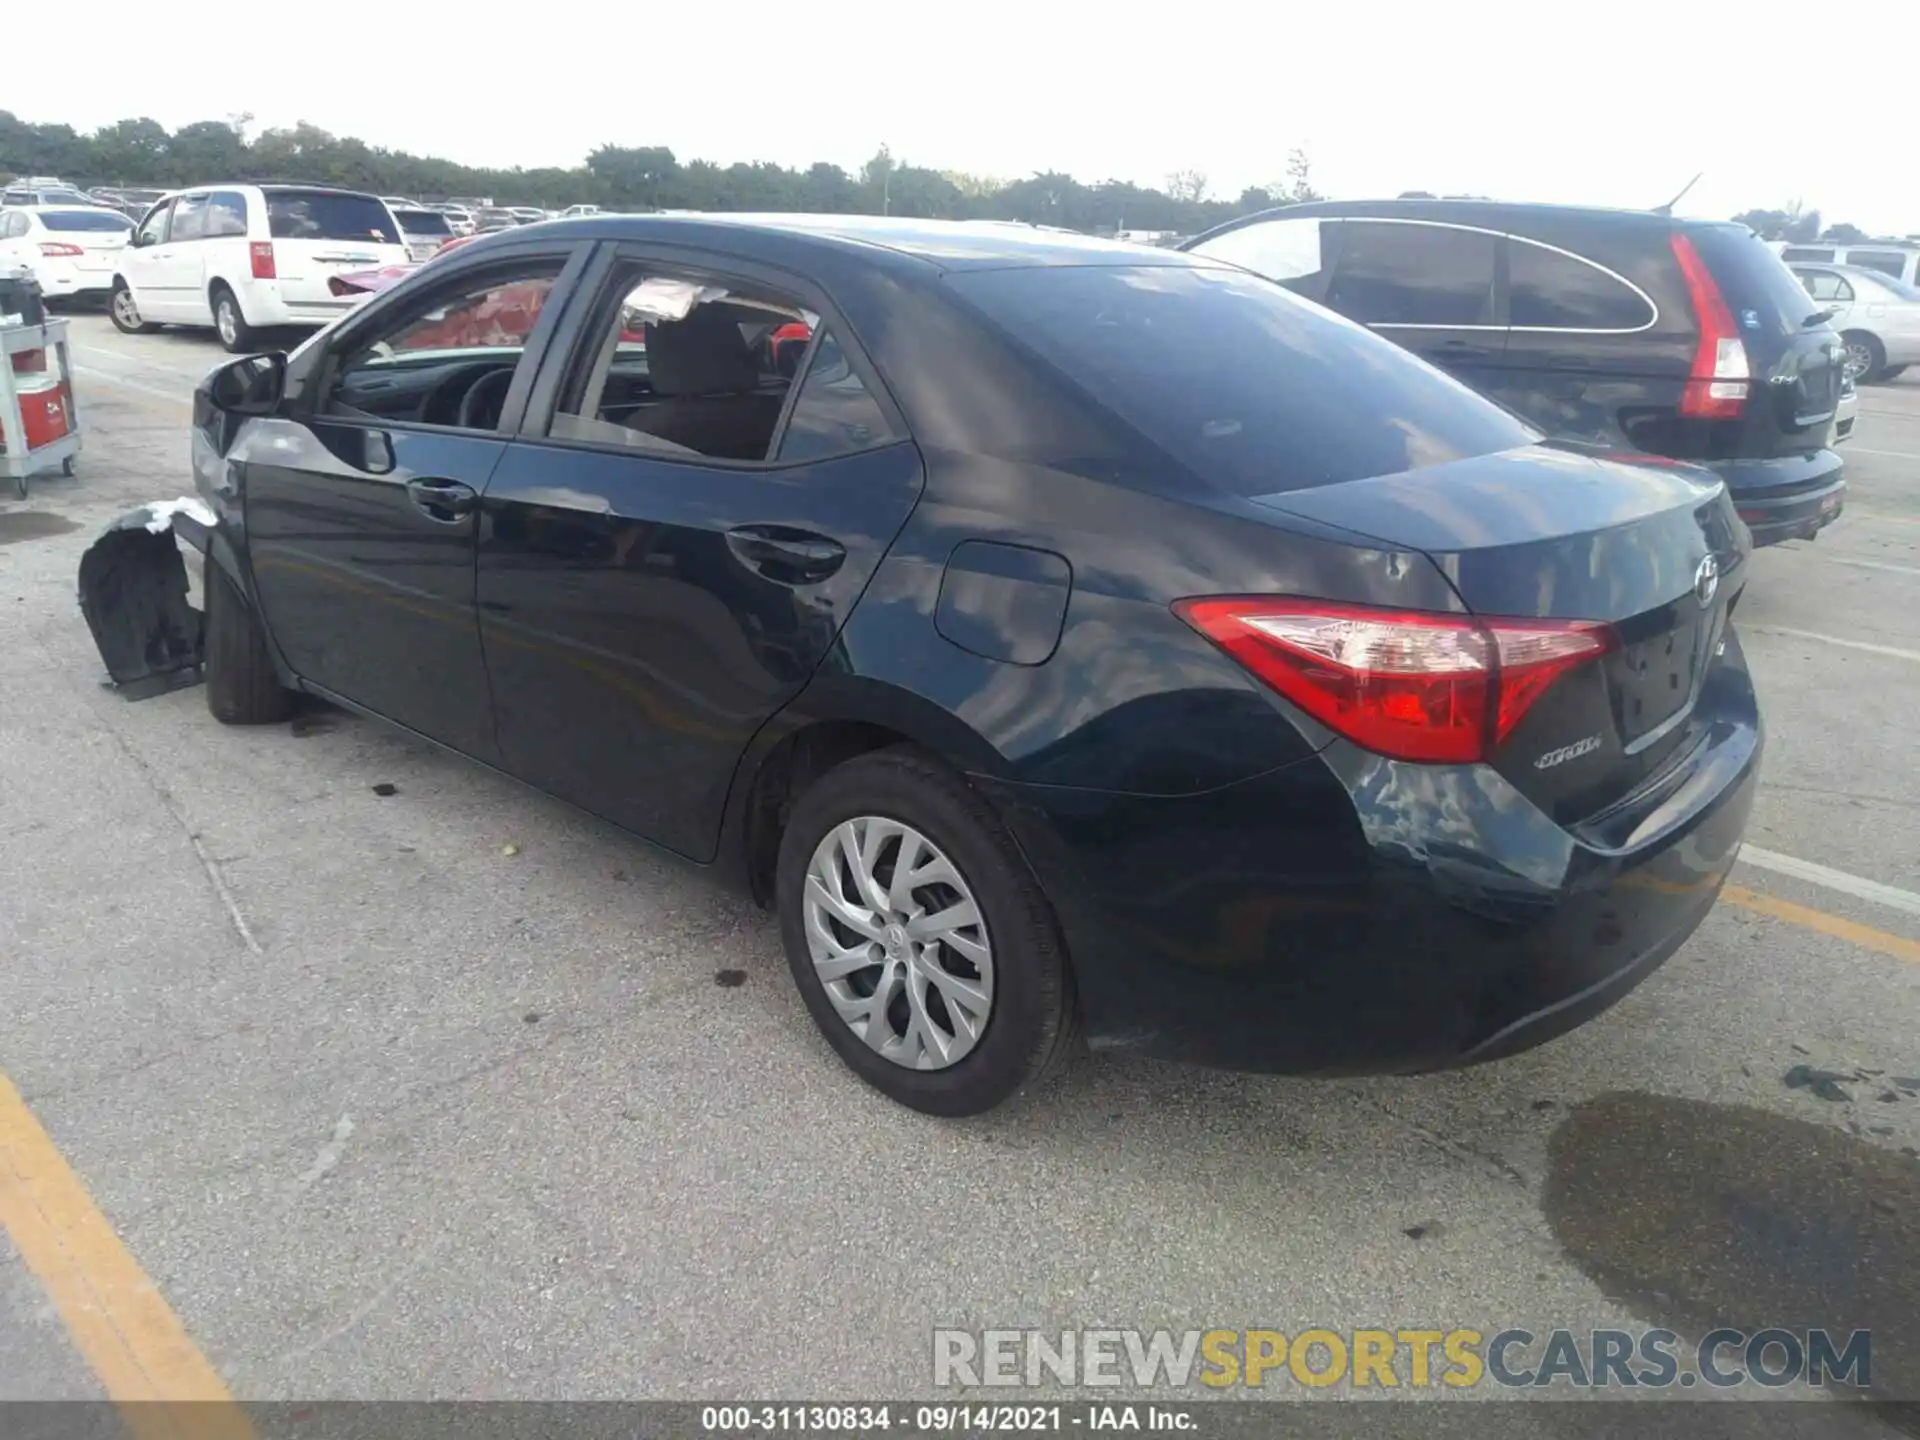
{"x":900,"y":944}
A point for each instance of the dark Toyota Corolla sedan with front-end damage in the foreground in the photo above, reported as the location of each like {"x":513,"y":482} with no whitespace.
{"x":1063,"y":636}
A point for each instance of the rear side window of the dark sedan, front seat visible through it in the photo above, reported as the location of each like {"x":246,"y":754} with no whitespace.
{"x":702,"y":368}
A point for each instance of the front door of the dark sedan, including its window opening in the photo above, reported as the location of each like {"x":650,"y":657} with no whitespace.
{"x":362,"y":504}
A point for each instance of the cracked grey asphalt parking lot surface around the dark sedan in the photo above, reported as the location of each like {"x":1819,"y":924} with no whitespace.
{"x":435,"y":1093}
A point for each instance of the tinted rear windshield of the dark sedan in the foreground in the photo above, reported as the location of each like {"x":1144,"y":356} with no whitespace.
{"x":1251,"y":387}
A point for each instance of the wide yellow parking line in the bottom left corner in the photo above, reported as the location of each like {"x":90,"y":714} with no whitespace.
{"x":112,"y":1310}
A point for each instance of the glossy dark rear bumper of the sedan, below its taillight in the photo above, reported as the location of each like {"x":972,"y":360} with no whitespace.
{"x":1351,"y":915}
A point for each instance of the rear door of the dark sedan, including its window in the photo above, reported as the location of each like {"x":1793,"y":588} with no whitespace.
{"x":675,"y":542}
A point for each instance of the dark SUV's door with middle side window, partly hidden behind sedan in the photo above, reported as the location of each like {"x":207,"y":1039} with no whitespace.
{"x":1428,"y":287}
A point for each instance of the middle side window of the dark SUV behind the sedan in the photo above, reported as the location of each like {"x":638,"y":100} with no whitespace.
{"x":1414,"y":276}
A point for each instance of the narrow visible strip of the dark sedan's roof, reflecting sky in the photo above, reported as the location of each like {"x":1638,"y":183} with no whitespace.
{"x":942,"y":245}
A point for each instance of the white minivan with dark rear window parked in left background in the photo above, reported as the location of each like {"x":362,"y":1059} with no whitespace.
{"x":241,"y":258}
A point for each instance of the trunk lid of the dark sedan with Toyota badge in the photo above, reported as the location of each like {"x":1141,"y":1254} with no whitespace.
{"x":1558,"y":533}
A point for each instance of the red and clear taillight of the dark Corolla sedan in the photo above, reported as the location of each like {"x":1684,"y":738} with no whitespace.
{"x":1410,"y":686}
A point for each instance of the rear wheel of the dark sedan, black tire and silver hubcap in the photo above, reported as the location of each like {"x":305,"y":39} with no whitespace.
{"x":921,"y":942}
